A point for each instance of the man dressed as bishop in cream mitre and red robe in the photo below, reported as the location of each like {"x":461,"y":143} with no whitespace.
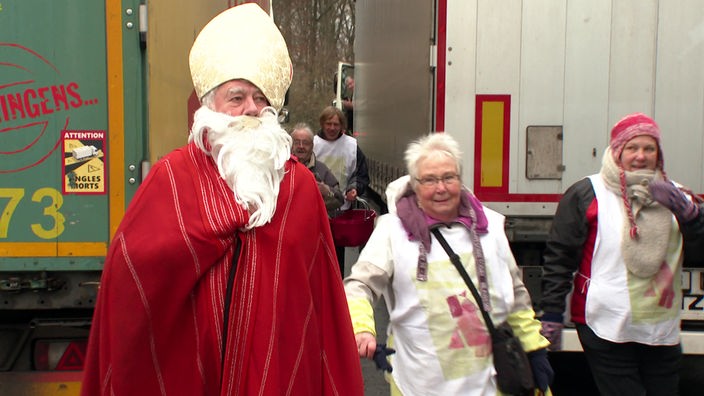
{"x":209,"y":287}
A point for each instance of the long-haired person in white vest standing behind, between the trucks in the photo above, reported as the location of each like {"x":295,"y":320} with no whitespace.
{"x":345,"y":159}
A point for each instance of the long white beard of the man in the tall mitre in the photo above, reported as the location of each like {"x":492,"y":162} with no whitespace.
{"x":250,"y":153}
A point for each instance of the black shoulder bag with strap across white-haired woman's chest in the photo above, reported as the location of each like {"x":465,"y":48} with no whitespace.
{"x":514,"y":375}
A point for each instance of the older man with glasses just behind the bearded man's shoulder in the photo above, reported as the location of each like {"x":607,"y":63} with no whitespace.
{"x":328,"y":185}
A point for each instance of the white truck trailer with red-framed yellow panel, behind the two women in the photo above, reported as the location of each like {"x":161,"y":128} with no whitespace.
{"x":531,"y":89}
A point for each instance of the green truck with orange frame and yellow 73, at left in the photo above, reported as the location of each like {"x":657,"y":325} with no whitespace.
{"x":89,"y":97}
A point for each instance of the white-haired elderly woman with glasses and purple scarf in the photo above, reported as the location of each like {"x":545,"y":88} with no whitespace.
{"x":441,"y":343}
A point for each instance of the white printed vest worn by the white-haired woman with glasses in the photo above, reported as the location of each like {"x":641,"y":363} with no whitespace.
{"x":451,"y":357}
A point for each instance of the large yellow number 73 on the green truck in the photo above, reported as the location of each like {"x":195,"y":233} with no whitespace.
{"x":51,"y":210}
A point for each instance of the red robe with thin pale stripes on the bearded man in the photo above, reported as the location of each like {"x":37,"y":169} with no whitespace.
{"x":158,"y":322}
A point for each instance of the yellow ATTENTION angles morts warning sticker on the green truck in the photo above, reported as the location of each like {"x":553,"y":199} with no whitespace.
{"x":84,"y":162}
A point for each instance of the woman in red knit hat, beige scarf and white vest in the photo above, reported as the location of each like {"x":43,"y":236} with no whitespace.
{"x":619,"y":239}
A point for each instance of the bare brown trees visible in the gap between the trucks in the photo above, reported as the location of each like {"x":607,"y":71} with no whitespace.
{"x":319,"y":34}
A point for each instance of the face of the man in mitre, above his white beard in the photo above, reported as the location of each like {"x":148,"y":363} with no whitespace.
{"x":239,"y":97}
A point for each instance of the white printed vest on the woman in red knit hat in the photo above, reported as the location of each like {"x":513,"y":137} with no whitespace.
{"x":620,"y":306}
